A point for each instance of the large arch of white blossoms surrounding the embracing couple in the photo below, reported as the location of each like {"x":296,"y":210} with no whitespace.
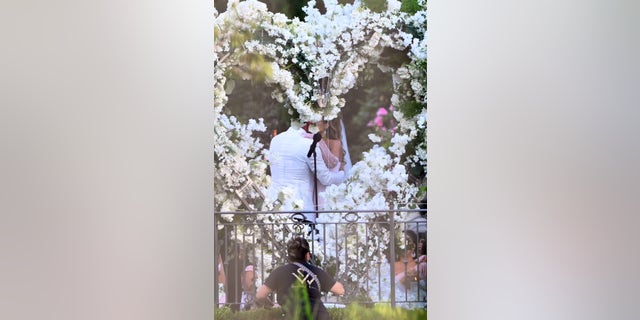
{"x":311,"y":65}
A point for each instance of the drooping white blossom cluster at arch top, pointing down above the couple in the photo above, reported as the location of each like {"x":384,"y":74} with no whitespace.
{"x":333,"y":47}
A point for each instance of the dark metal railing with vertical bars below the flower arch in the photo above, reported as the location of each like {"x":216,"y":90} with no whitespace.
{"x":365,"y":250}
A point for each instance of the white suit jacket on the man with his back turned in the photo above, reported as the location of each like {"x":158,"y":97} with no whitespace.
{"x":290,"y":167}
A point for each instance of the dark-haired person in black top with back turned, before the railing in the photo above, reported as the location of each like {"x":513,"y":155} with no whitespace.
{"x":299,"y":271}
